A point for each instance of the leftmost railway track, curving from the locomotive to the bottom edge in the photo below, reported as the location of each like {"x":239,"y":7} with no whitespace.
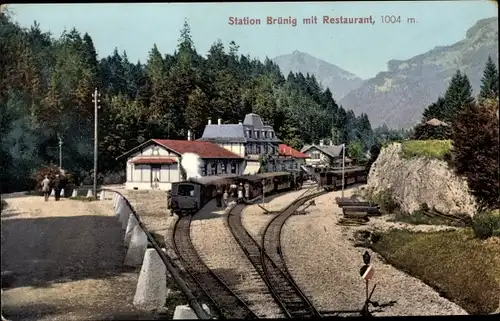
{"x":228,"y":304}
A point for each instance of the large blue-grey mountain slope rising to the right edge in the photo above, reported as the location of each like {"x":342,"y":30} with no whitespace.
{"x":397,"y":97}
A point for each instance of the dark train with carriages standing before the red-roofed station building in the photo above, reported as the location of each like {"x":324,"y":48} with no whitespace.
{"x":191,"y":195}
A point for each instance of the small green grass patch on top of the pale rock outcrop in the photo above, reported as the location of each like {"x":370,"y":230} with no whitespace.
{"x":438,"y":149}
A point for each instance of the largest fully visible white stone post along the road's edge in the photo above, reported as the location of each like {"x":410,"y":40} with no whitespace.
{"x":151,"y":288}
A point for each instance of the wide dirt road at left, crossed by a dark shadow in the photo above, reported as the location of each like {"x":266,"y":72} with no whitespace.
{"x":66,"y":262}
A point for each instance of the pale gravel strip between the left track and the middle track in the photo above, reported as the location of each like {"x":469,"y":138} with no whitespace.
{"x":220,"y":251}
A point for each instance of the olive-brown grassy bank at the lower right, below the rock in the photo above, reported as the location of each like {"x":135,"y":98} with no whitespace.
{"x":462,"y":268}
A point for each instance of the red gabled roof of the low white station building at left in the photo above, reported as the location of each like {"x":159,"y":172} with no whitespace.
{"x":203,"y":149}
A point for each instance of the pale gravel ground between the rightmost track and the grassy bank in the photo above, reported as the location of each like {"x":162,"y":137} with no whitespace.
{"x":325,"y":264}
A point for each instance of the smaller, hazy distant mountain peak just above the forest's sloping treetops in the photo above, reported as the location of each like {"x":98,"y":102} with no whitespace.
{"x":337,"y":79}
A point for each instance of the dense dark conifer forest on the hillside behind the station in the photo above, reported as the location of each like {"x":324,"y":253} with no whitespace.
{"x":46,"y":96}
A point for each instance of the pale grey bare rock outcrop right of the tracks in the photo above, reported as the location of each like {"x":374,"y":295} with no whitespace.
{"x":416,"y":181}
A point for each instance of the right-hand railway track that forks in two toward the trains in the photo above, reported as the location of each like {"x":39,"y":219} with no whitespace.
{"x":287,"y":294}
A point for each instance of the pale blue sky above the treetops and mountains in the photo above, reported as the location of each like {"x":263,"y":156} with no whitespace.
{"x":363,"y":49}
